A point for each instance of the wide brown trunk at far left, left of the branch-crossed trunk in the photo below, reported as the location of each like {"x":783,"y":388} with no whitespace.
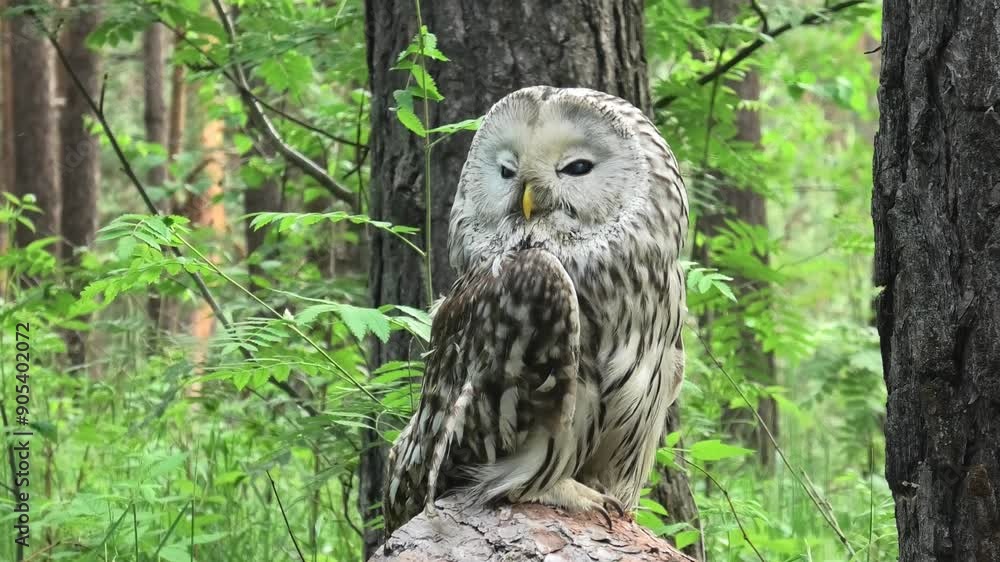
{"x":34,"y":123}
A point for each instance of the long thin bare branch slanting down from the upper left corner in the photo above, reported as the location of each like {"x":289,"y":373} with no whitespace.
{"x":203,"y":289}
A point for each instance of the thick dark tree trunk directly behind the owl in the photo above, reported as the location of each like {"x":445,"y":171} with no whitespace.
{"x":495,"y":48}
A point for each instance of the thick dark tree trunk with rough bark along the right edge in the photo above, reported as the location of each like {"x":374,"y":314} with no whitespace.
{"x":936,"y":209}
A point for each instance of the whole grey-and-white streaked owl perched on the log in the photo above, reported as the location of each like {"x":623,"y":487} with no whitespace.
{"x":557,"y":352}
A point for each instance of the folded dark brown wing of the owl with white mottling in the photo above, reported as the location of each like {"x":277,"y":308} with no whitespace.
{"x":503,"y":364}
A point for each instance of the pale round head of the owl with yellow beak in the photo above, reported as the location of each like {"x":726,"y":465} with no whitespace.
{"x":568,"y":169}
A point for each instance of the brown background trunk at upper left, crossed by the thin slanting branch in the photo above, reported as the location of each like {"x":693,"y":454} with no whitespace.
{"x":81,"y":162}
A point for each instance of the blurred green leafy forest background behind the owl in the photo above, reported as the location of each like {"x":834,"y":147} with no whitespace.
{"x":217,"y":381}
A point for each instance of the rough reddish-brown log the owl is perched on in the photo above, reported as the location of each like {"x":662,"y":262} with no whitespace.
{"x":521,"y":533}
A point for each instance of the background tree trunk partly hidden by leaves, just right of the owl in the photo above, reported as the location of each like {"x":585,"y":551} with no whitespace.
{"x":742,"y":203}
